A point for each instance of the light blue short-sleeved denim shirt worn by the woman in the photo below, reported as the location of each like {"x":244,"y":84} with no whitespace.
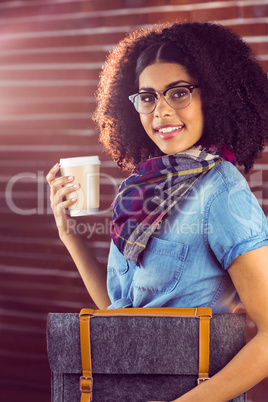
{"x":185,"y":262}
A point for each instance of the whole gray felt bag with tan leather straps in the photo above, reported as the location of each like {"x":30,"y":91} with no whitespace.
{"x":139,"y":354}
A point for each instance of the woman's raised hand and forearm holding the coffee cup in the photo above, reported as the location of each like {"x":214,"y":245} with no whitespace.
{"x":90,"y":269}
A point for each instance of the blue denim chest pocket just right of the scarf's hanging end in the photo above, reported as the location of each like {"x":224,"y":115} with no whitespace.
{"x":161,"y":266}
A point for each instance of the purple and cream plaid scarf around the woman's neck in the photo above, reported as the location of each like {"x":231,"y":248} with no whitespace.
{"x":147,"y":196}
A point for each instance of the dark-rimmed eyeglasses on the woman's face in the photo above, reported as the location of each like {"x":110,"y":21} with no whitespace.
{"x":177,"y":97}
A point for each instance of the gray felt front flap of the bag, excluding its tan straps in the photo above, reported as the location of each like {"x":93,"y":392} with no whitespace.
{"x":142,"y":344}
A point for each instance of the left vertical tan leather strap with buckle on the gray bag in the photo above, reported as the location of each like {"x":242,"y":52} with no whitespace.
{"x":86,"y":380}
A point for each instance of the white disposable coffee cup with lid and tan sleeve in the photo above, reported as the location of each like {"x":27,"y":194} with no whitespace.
{"x":85,"y":170}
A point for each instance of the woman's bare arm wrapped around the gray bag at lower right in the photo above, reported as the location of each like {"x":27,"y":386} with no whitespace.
{"x":249,"y":273}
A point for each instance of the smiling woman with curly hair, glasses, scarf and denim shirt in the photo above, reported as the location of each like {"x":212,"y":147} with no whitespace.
{"x":186,"y":229}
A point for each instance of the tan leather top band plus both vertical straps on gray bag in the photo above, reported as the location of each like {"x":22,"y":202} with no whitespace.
{"x":202,"y":313}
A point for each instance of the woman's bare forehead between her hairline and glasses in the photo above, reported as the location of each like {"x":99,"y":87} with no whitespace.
{"x":160,"y":75}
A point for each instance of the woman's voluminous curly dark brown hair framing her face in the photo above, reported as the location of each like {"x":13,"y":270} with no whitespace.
{"x":234,"y":90}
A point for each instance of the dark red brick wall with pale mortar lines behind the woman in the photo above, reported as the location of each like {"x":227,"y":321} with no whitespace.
{"x":51,"y":52}
